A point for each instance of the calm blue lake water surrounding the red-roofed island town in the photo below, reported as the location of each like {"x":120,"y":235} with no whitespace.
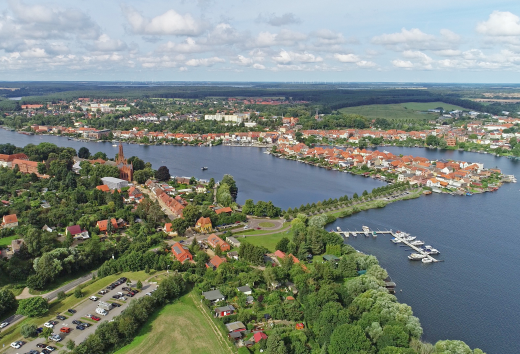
{"x":471,"y":296}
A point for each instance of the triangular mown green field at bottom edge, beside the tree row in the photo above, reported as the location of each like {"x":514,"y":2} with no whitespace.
{"x":178,"y":328}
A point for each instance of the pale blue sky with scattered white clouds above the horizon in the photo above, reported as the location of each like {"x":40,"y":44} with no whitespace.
{"x":473,"y":41}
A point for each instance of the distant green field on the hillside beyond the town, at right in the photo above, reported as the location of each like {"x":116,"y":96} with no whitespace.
{"x":408,"y":110}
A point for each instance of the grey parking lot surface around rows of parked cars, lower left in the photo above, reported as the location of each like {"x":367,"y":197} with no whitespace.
{"x":83,"y":309}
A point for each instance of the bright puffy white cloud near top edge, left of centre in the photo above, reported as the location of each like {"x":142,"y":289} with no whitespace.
{"x":168,"y":23}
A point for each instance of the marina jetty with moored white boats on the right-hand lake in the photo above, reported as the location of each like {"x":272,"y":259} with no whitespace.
{"x":421,"y":254}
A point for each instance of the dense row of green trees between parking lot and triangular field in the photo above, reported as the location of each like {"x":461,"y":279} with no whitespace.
{"x":112,"y":335}
